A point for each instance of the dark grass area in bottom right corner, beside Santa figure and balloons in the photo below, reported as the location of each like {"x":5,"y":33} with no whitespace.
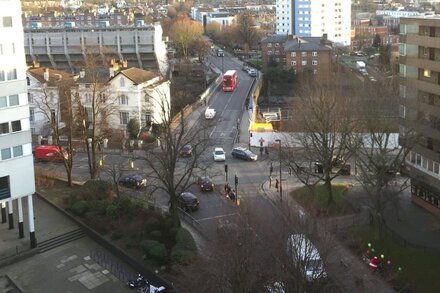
{"x":419,"y":268}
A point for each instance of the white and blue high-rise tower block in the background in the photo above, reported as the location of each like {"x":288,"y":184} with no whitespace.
{"x":315,"y":18}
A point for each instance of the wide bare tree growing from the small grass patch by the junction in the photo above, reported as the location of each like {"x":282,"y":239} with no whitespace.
{"x":323,"y":125}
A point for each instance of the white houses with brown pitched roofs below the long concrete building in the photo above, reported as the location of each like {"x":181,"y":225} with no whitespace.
{"x":129,"y":93}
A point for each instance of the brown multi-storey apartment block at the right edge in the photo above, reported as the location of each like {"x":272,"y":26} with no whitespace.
{"x":420,"y":105}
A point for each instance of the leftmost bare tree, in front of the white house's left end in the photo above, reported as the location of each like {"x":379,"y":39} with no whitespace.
{"x":60,"y":118}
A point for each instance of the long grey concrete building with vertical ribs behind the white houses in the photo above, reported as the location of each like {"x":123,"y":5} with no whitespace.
{"x":66,"y":48}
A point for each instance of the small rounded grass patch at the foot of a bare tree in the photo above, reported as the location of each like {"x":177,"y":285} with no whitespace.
{"x":316,"y":202}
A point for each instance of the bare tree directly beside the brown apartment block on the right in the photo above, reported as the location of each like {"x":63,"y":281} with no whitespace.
{"x":378,"y":156}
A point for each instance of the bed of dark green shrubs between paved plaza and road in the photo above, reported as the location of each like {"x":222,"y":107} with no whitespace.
{"x":134,"y":226}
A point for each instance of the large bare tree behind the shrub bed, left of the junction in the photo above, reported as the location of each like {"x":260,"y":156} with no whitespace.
{"x":167,"y":170}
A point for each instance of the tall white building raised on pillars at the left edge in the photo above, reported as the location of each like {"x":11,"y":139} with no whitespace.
{"x":16,"y":161}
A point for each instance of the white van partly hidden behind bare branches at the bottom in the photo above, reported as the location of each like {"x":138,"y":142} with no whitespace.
{"x":303,"y":251}
